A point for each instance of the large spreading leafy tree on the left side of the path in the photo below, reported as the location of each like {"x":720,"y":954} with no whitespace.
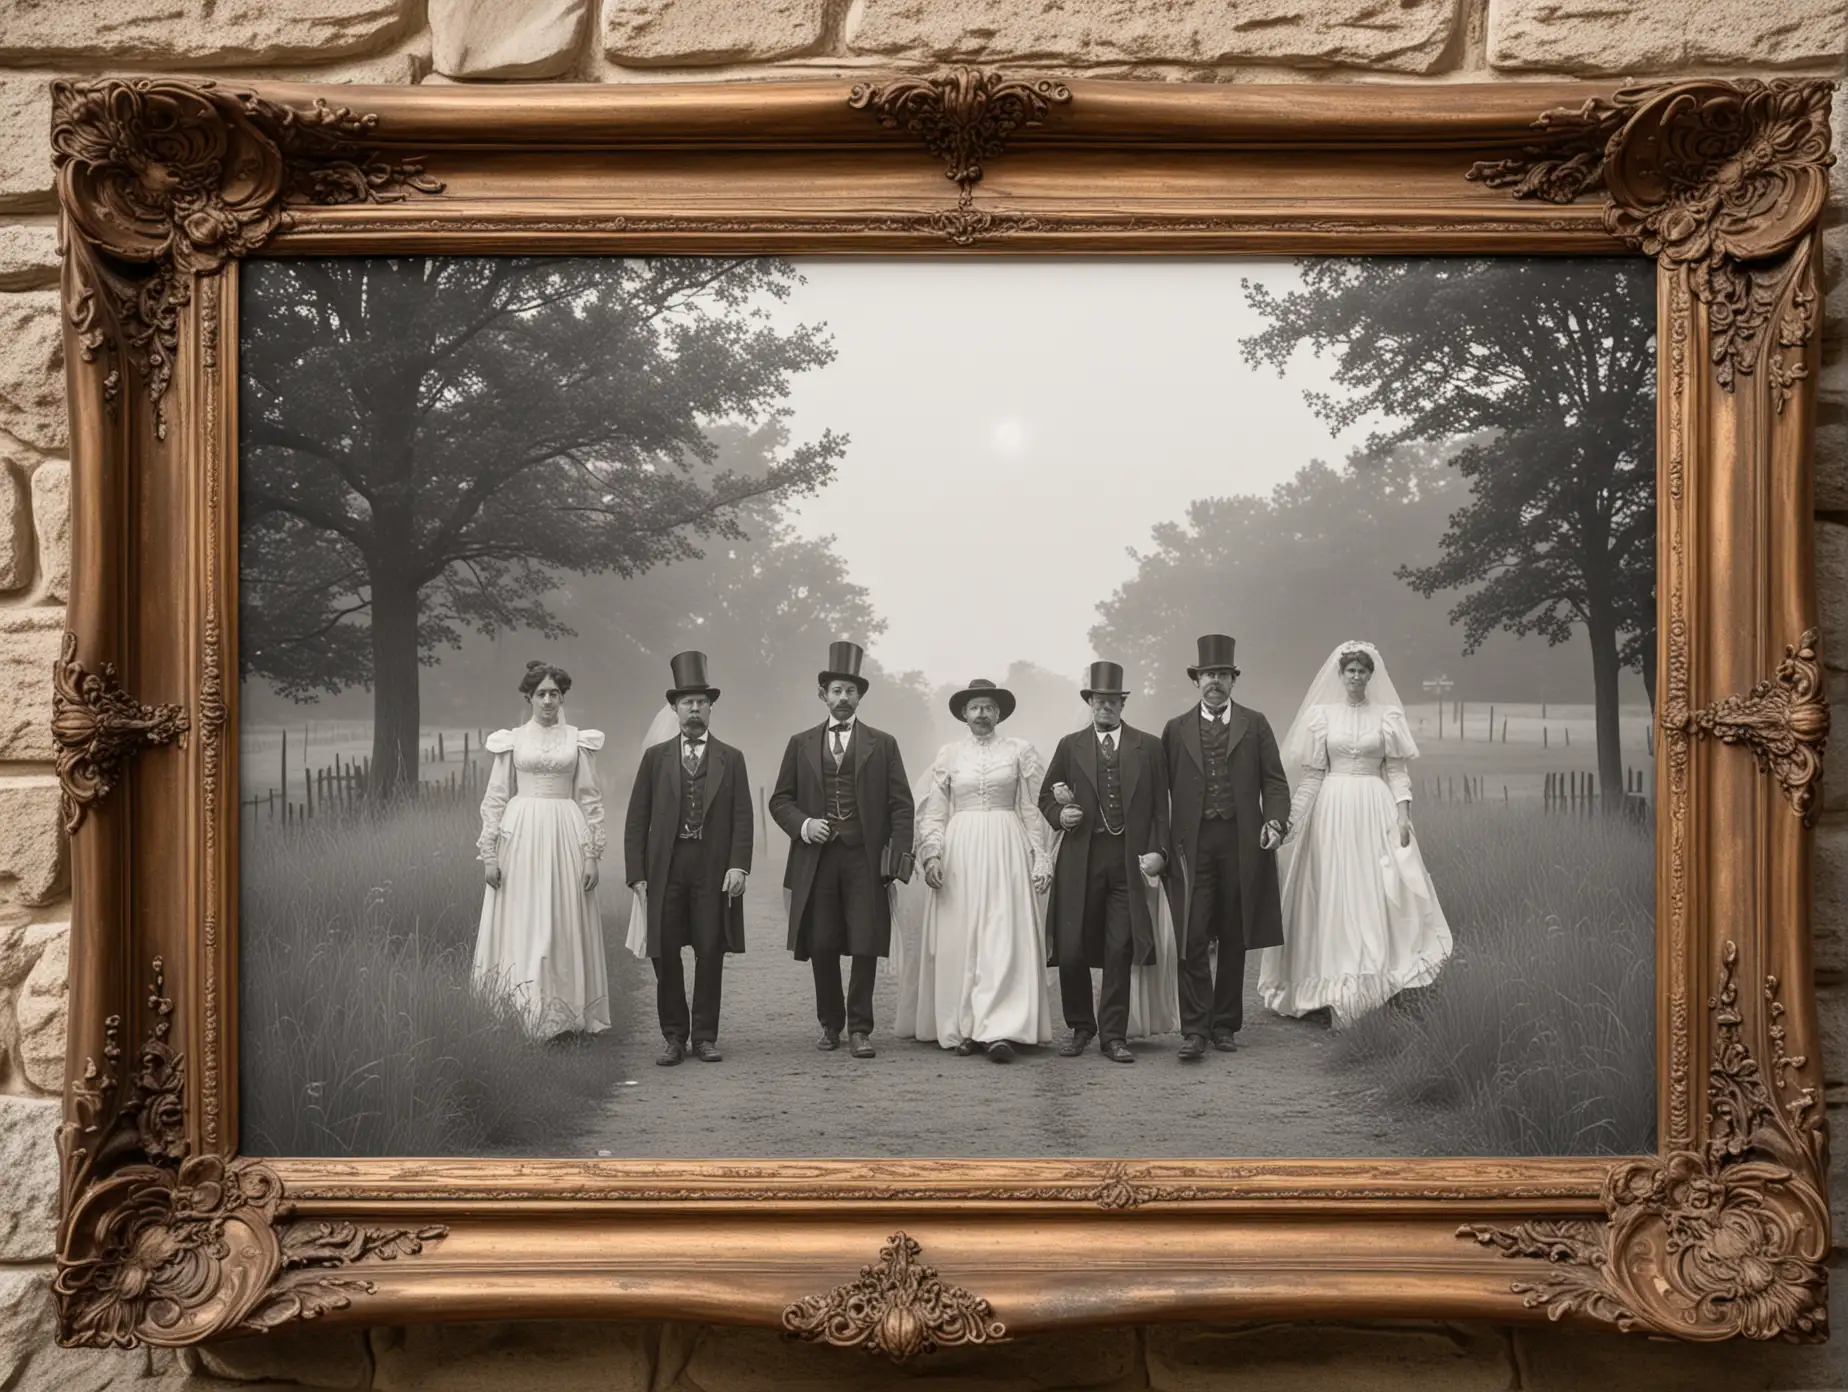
{"x":432,"y":445}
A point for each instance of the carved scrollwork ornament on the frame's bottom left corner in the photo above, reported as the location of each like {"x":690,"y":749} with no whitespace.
{"x":160,"y":1247}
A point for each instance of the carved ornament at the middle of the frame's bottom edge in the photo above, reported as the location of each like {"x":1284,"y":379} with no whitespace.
{"x":897,"y":1308}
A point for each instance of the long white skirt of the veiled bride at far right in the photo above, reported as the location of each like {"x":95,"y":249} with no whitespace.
{"x":1361,"y":920}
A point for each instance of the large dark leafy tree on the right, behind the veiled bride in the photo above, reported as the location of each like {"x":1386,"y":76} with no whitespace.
{"x":1546,"y":369}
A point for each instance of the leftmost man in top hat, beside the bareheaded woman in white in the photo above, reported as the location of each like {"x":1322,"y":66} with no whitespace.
{"x":688,"y":836}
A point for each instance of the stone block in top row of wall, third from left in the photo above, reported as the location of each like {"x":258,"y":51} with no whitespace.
{"x":692,"y":32}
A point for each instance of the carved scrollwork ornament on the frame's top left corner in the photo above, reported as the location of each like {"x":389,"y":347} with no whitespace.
{"x":165,"y":180}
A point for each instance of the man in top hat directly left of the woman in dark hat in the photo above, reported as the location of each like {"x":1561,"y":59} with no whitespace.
{"x":844,"y":798}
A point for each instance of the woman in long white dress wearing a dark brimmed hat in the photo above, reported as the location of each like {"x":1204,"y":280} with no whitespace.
{"x":982,"y":842}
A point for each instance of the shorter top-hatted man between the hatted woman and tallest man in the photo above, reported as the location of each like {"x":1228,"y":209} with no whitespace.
{"x":1108,"y":792}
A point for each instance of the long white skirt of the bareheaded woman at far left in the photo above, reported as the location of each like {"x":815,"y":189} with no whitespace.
{"x":541,"y":934}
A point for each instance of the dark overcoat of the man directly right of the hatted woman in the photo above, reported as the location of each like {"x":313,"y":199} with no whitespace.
{"x":1145,"y":777}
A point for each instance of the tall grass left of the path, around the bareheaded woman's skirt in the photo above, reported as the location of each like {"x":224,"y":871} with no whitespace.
{"x":361,"y":1032}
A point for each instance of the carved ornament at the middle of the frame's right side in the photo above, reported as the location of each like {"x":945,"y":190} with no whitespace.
{"x":1784,"y":722}
